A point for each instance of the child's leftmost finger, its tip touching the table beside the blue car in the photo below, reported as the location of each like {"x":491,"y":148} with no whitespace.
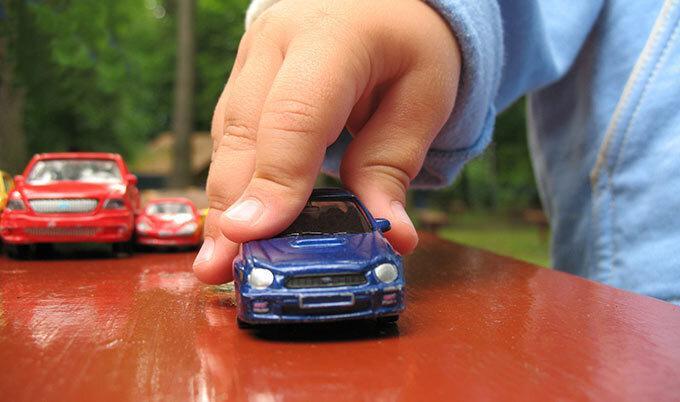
{"x":234,"y":135}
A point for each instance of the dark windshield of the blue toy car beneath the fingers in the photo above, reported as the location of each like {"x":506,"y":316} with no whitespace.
{"x":328,"y":217}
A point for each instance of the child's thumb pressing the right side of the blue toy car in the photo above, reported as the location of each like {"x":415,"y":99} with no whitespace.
{"x":388,"y":152}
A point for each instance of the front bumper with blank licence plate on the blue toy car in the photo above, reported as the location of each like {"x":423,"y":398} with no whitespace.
{"x":322,"y":305}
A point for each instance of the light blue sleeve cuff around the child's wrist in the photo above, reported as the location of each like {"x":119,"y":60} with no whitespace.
{"x":478,"y":29}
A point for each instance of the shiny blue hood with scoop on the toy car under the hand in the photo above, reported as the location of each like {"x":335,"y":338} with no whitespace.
{"x":347,"y":251}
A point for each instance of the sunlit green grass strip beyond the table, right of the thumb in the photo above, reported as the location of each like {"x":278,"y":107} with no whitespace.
{"x":500,"y":234}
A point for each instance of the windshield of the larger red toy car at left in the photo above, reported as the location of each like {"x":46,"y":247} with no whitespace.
{"x":83,"y":170}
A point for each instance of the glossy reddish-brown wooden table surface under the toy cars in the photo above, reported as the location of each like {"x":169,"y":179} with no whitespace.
{"x":477,"y":327}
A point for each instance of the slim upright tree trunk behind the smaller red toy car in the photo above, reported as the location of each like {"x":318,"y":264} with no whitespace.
{"x":184,"y":94}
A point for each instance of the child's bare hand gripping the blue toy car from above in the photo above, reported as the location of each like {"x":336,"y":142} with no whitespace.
{"x":386,"y":69}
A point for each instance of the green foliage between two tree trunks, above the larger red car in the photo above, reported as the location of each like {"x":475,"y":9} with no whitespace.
{"x":94,"y":74}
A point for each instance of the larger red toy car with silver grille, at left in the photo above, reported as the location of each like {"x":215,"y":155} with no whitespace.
{"x":71,"y":197}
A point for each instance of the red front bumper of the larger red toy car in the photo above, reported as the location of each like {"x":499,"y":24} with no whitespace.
{"x":110,"y":227}
